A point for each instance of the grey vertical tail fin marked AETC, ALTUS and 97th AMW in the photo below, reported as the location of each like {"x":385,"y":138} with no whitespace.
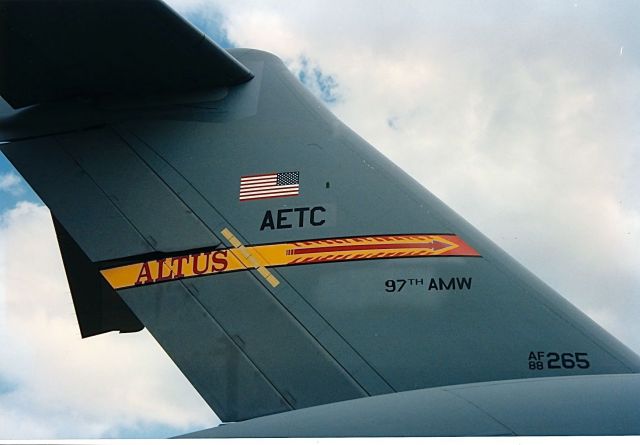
{"x":279,"y":259}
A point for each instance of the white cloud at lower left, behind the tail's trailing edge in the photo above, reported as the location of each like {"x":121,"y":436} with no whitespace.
{"x":53,"y":384}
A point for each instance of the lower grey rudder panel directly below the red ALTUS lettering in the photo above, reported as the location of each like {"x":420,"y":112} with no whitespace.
{"x":210,"y":358}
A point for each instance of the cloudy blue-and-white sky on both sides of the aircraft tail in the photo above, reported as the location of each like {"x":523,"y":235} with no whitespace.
{"x":523,"y":117}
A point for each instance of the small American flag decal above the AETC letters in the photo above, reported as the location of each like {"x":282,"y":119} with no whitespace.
{"x":269,"y":185}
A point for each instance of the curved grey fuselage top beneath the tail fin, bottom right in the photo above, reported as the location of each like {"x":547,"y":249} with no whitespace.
{"x":556,"y":406}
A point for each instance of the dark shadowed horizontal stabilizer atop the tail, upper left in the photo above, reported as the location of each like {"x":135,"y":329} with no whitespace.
{"x":62,"y":49}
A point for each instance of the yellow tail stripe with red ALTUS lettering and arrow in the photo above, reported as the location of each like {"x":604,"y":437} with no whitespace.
{"x":240,"y":257}
